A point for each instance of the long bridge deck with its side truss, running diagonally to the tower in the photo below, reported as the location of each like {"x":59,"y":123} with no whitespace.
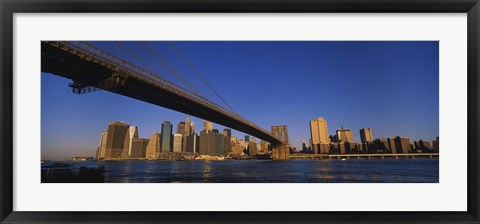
{"x":91,"y":66}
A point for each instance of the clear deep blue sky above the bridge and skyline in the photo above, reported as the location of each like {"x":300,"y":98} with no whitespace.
{"x":389,"y":86}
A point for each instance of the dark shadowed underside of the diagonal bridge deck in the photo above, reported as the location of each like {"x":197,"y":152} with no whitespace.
{"x":87,"y":73}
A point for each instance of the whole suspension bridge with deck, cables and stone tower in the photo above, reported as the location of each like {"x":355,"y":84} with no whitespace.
{"x":91,"y":68}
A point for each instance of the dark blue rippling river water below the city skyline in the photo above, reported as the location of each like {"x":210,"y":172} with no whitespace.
{"x":265,"y":171}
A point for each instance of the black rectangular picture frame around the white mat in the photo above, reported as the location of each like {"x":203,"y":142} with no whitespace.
{"x":9,"y":7}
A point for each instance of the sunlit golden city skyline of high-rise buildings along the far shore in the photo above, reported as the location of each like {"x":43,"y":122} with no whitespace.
{"x":123,"y":138}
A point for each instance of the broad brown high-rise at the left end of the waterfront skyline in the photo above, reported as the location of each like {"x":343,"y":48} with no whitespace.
{"x":117,"y":140}
